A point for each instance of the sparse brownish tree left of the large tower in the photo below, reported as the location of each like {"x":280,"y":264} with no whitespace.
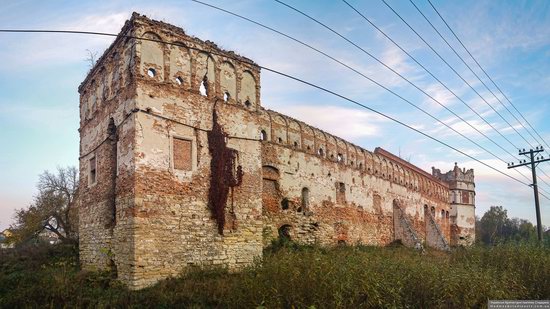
{"x":54,"y":208}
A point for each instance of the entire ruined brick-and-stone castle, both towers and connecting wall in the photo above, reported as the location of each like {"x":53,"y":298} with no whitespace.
{"x":180,"y":165}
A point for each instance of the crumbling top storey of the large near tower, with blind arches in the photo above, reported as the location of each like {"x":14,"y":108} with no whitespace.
{"x":159,"y":54}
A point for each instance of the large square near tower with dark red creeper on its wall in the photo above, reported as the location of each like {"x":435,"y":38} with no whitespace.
{"x":169,"y":156}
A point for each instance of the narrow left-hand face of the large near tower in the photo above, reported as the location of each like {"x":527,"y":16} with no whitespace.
{"x":107,"y":132}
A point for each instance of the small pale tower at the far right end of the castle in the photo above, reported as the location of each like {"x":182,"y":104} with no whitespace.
{"x":462,"y":195}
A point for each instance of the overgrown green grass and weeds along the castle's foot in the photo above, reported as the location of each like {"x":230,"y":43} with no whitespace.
{"x":293,"y":276}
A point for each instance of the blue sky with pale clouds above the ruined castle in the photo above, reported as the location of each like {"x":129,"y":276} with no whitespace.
{"x":511,"y":39}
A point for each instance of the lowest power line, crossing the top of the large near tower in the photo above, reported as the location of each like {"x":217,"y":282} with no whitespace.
{"x":284,"y":75}
